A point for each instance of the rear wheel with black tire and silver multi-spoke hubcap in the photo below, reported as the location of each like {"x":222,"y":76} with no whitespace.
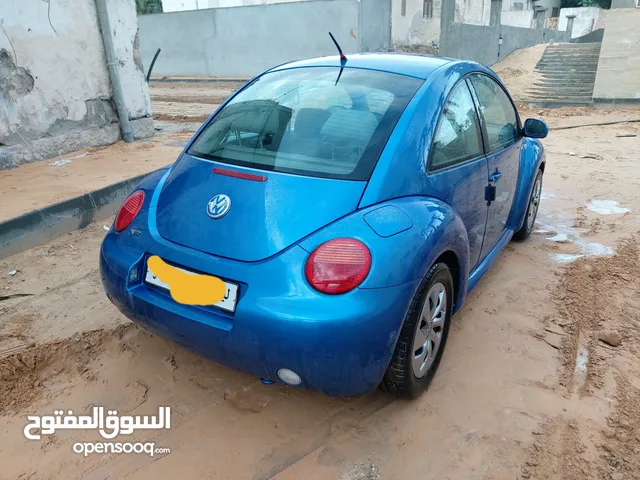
{"x":407,"y":376}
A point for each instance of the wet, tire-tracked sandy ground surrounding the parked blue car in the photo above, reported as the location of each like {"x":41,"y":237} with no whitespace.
{"x":525,"y":389}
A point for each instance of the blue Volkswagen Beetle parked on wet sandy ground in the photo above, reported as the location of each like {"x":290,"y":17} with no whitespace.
{"x":348,"y":206}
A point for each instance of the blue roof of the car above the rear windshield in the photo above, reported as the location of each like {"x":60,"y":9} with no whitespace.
{"x":412,"y":65}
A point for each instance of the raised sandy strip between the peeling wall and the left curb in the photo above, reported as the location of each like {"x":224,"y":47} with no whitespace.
{"x":38,"y":184}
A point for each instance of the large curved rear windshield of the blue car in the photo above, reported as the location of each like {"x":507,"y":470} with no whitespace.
{"x":309,"y":121}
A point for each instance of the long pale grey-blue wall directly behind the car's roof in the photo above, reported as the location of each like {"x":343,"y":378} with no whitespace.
{"x":243,"y":41}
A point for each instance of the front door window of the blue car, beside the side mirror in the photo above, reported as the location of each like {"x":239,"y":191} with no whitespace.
{"x":500,"y":118}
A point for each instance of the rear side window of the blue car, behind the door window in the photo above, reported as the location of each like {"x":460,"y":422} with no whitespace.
{"x":457,"y":136}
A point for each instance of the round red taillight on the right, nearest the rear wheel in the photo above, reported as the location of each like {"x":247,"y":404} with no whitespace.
{"x":338,"y":266}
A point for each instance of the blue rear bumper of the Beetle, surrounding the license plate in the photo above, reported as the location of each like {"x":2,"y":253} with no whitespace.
{"x":340,"y":345}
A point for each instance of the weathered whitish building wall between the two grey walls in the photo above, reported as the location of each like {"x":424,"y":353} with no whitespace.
{"x":413,"y":28}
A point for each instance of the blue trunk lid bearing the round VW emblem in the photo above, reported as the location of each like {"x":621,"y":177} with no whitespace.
{"x":265,"y":216}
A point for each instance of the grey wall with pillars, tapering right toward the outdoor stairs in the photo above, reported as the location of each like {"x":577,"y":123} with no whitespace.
{"x":480,"y":43}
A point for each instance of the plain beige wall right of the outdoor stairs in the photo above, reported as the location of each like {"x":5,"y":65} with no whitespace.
{"x":618,"y":75}
